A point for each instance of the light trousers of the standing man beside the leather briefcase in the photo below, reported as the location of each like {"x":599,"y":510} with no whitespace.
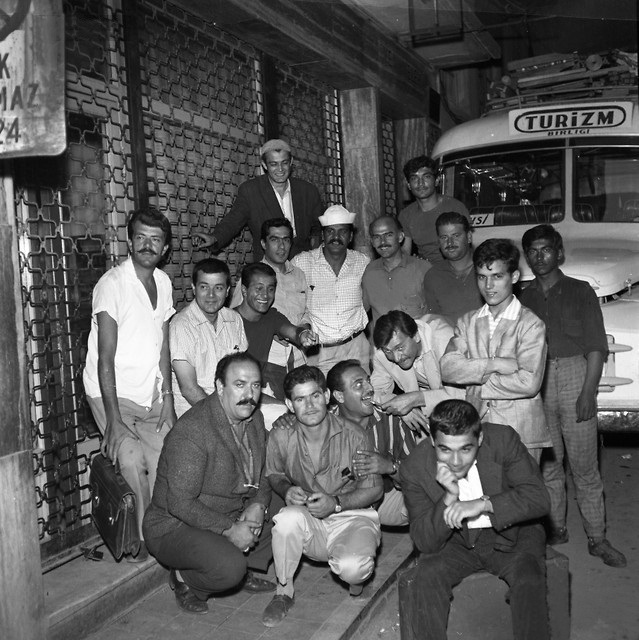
{"x":138,"y":459}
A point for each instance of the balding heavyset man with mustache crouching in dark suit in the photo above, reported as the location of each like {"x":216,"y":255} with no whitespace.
{"x":210,"y":499}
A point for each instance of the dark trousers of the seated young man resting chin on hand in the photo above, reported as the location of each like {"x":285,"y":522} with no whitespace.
{"x":438,"y":573}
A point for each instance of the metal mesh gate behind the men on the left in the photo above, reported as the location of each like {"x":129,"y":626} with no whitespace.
{"x":203,"y":124}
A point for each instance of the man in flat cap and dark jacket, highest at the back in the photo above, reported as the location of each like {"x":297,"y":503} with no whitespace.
{"x":273,"y":195}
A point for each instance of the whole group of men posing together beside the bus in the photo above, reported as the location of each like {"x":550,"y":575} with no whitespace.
{"x":420,"y":441}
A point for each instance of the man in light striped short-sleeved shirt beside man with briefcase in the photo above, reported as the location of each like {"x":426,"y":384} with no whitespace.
{"x":202,"y":334}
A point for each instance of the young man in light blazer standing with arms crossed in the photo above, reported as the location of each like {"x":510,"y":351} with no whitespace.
{"x":499,"y":351}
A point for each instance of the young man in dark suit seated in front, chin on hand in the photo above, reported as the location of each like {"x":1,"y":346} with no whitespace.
{"x":474,"y":496}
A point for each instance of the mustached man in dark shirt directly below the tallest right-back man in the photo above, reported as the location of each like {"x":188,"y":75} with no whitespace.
{"x":450,"y":287}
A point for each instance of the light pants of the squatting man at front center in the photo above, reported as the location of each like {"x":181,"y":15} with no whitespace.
{"x":348,"y":541}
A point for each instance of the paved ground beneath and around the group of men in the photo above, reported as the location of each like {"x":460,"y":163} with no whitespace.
{"x":604,"y":600}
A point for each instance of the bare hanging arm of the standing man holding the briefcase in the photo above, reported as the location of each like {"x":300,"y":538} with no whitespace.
{"x":116,"y":431}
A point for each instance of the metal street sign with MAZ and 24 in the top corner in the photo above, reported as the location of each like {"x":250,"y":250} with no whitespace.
{"x":32,"y":121}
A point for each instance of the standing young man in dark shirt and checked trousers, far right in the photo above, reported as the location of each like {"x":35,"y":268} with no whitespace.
{"x":577,"y":347}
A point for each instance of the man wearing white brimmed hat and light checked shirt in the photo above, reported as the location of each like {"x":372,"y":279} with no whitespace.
{"x":334,"y":302}
